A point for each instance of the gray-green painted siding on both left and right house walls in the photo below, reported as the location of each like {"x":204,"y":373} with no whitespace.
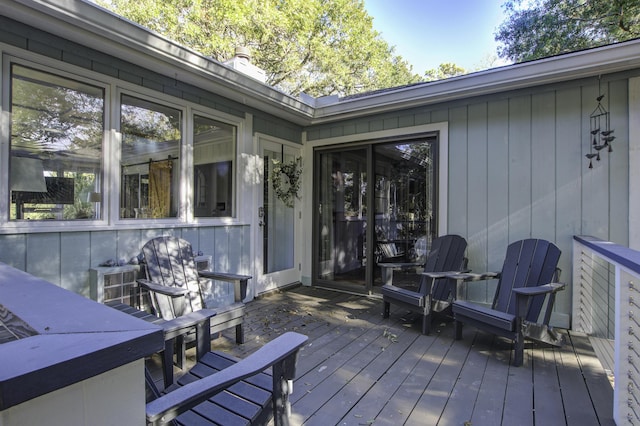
{"x":515,"y":168}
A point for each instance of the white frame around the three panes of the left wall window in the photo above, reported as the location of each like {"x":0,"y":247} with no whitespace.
{"x":111,"y":149}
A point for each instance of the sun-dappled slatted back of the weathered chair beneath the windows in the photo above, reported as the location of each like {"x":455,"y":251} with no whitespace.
{"x":169,"y":261}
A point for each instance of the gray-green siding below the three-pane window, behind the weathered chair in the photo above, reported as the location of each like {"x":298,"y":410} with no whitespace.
{"x":64,"y":258}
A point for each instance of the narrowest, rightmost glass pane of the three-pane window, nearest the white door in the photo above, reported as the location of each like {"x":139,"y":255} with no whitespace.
{"x":213,"y":167}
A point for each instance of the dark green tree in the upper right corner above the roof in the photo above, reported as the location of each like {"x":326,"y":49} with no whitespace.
{"x":551,"y":27}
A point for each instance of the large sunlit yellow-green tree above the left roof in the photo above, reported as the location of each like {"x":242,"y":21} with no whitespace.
{"x":314,"y":46}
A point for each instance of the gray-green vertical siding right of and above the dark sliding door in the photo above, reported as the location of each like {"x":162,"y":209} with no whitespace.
{"x":517,"y":169}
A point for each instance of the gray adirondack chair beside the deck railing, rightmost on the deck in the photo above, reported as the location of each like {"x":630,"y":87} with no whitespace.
{"x":529,"y":274}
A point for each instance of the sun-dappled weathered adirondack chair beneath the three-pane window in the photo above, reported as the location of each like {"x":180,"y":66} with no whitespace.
{"x":173,"y":282}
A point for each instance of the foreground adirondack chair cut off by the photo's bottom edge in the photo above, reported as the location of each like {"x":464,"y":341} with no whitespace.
{"x":221,"y":390}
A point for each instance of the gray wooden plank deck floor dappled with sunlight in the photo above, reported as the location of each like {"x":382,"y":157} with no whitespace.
{"x":359,"y":369}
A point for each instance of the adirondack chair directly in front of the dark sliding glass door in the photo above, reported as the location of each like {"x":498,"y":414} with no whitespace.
{"x":446,"y":256}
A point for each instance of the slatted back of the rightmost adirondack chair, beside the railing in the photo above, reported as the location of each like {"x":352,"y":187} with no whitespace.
{"x":528,"y":263}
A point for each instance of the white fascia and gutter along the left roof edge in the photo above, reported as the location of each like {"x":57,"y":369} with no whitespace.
{"x":90,"y":25}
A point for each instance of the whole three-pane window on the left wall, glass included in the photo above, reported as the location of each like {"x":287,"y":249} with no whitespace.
{"x":57,"y":151}
